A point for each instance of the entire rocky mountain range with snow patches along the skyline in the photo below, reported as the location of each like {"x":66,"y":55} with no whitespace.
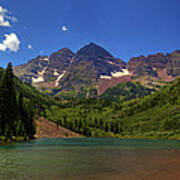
{"x":94,"y":70}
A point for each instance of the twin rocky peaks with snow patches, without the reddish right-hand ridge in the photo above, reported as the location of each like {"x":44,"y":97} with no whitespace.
{"x":63,"y":71}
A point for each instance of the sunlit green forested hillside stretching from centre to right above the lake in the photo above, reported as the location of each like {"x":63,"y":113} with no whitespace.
{"x":153,"y":116}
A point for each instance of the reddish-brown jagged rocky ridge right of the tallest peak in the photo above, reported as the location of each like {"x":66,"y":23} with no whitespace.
{"x":155,"y":68}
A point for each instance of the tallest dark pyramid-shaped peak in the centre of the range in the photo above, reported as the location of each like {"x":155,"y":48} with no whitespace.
{"x":91,"y":64}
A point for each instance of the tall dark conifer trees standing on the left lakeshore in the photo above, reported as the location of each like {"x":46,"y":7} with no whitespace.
{"x":16,"y":112}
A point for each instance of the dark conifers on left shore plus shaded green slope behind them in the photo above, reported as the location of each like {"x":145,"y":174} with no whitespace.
{"x":19,"y":105}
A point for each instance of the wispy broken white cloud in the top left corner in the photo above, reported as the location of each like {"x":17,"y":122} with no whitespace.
{"x":5,"y":19}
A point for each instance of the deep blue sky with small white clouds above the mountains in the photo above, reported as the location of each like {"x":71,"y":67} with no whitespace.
{"x":126,"y":28}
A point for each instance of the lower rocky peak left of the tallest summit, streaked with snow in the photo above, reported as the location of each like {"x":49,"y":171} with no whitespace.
{"x":44,"y":71}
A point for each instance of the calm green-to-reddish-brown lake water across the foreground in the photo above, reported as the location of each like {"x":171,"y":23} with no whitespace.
{"x":91,"y":159}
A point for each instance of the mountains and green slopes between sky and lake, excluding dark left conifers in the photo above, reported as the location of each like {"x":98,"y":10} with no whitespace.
{"x":90,"y":93}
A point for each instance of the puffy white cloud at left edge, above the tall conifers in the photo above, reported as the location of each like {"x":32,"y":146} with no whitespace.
{"x":11,"y":42}
